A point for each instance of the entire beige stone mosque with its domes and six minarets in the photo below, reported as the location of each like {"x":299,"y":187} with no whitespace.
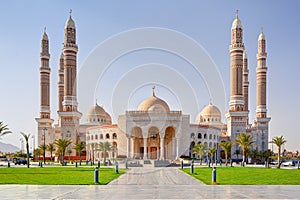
{"x":153,"y":131}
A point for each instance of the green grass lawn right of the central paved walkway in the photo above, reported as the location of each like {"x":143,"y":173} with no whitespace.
{"x":247,"y":176}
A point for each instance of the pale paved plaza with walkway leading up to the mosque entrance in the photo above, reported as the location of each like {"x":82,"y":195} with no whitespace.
{"x":150,"y":183}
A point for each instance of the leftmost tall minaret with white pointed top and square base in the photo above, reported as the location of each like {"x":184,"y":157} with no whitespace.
{"x":44,"y":121}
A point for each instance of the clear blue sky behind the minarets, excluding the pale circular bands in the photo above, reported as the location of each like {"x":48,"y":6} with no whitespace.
{"x":207,"y":22}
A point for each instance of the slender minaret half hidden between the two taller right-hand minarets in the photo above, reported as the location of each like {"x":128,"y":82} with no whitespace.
{"x":245,"y":82}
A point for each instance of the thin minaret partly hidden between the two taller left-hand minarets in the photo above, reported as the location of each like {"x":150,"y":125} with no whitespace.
{"x":61,"y":83}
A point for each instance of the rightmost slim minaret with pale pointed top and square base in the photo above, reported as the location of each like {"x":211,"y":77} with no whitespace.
{"x":262,"y":121}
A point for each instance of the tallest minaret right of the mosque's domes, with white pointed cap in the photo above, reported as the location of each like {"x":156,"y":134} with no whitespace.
{"x":237,"y":115}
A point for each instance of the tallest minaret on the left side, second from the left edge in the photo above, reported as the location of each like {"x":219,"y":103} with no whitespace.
{"x":69,"y":116}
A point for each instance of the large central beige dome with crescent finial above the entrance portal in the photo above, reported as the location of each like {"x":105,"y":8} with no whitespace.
{"x":154,"y":104}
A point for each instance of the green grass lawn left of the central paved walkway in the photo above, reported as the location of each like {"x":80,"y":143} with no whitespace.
{"x":57,"y":175}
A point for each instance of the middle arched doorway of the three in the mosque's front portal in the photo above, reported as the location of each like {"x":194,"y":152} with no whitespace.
{"x":153,"y":143}
